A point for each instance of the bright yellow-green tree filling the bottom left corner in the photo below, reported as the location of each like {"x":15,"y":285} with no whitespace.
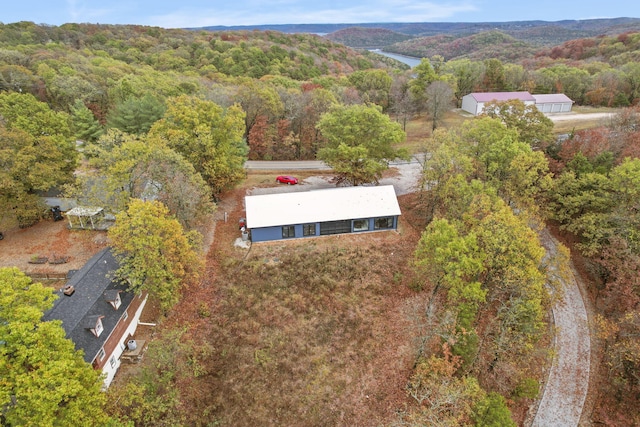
{"x":44,"y":380}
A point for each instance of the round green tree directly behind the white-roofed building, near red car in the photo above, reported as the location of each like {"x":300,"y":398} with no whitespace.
{"x":360,"y":142}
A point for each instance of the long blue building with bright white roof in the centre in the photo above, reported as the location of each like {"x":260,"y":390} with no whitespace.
{"x":321,"y":212}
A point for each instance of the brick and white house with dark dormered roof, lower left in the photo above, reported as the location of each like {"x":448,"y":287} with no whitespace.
{"x":98,"y":314}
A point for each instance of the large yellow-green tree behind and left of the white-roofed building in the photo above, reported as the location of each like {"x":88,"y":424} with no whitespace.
{"x":207,"y":135}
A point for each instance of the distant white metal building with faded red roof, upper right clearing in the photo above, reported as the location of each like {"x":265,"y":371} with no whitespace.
{"x":474,"y":103}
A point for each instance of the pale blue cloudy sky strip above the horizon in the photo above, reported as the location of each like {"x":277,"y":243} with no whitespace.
{"x":200,"y":13}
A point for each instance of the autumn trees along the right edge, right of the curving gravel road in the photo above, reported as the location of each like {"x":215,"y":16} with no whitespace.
{"x":596,"y":199}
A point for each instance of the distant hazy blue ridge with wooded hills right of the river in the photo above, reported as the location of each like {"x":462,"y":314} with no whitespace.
{"x":507,"y":41}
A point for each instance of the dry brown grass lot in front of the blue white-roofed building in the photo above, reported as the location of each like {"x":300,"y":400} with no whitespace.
{"x":315,"y":332}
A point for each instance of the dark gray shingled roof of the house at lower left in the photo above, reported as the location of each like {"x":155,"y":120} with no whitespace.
{"x":90,"y":284}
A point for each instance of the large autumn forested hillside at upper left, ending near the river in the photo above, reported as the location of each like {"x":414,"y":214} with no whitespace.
{"x":90,"y":62}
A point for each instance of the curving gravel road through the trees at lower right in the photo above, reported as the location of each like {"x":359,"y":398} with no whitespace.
{"x":566,"y":388}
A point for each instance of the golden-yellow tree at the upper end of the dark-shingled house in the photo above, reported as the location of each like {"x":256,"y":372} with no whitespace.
{"x":154,"y":251}
